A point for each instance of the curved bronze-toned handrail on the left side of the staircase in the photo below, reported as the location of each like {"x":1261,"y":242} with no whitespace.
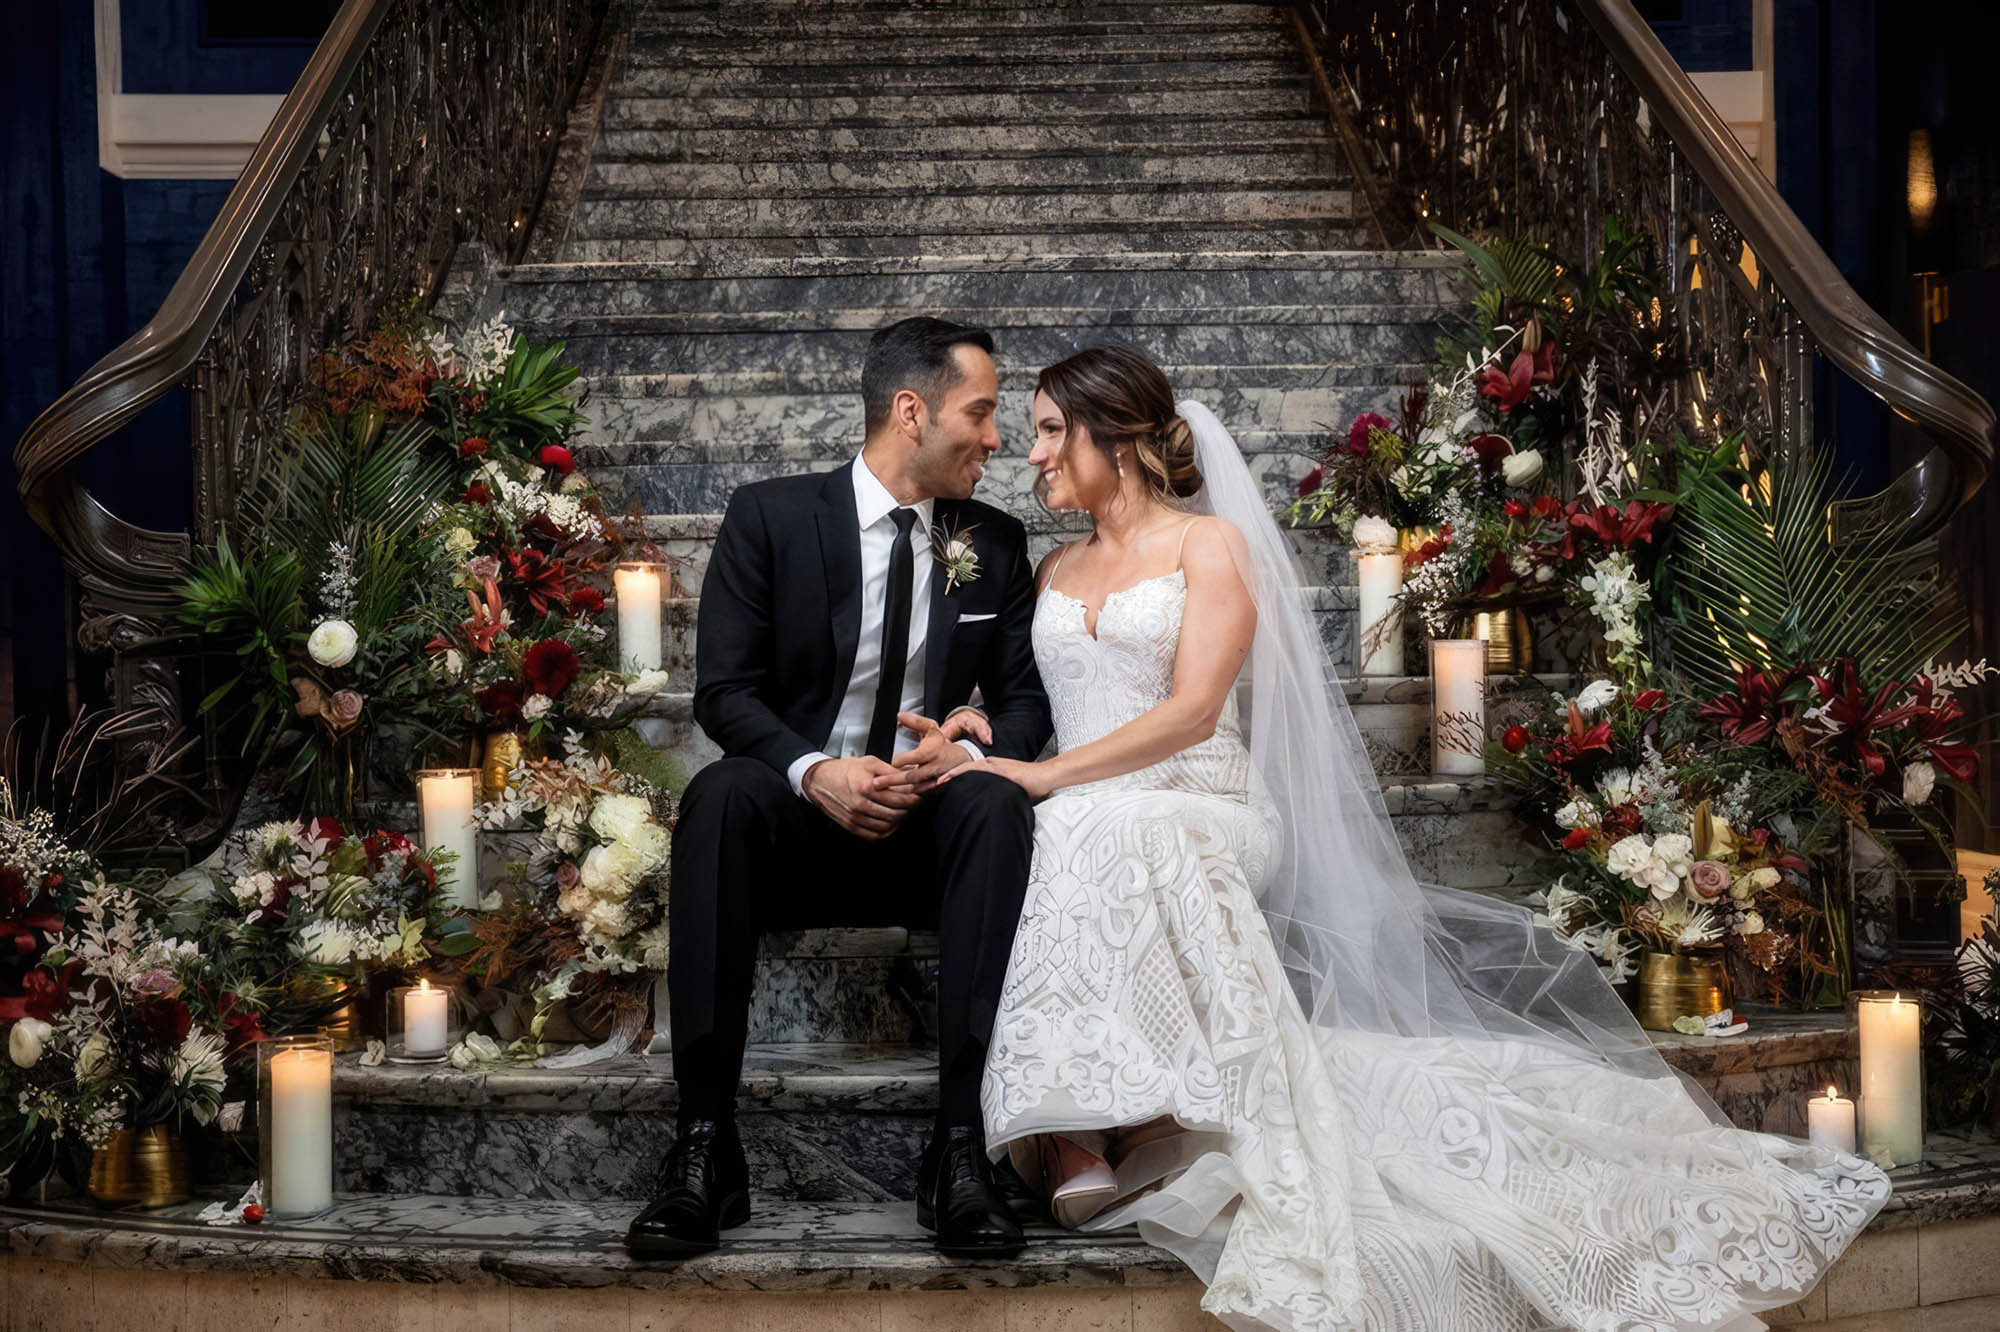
{"x":161,"y":355}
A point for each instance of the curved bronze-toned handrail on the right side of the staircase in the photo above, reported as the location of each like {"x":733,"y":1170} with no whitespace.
{"x":1847,"y":329}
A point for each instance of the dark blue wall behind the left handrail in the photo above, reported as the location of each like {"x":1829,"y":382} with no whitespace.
{"x":85,"y":261}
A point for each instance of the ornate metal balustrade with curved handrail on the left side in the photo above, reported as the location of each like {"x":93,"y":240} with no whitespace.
{"x":417,"y":125}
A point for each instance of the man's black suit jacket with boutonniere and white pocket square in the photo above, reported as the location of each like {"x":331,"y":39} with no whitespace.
{"x":781,"y":621}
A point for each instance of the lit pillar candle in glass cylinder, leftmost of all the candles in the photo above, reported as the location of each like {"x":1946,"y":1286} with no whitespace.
{"x":295,"y":1081}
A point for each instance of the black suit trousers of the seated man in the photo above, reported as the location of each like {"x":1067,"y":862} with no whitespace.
{"x":751,"y":859}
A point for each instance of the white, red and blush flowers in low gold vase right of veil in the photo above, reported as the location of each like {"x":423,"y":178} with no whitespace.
{"x":1667,"y":849}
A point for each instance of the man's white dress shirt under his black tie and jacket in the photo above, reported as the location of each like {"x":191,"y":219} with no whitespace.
{"x":873,"y":507}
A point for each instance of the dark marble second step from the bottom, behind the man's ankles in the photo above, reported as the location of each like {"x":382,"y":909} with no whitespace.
{"x":829,"y":1123}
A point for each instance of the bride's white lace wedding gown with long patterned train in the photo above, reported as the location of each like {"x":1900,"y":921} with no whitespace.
{"x":1337,"y":1179}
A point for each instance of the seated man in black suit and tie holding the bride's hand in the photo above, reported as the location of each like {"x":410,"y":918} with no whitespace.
{"x":837,"y":623}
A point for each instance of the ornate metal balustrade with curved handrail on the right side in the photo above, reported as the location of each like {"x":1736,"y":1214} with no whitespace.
{"x":1545,"y":117}
